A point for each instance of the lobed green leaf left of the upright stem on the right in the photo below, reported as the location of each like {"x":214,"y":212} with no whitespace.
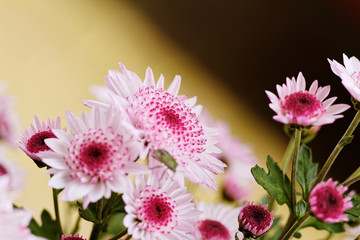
{"x":276,"y":183}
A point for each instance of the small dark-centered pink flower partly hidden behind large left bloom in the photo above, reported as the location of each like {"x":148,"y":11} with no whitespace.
{"x":33,"y":139}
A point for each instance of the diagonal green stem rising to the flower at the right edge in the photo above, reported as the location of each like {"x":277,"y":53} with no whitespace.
{"x":346,"y":139}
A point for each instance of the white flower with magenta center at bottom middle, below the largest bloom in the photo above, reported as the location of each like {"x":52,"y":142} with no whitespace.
{"x":159,"y":209}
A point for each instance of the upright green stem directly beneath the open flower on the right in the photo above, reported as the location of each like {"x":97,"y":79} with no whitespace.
{"x":297,"y":141}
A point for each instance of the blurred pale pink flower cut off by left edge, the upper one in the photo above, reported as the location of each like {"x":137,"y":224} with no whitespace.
{"x":8,"y":118}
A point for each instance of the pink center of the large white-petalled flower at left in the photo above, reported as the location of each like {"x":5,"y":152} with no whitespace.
{"x":97,"y":153}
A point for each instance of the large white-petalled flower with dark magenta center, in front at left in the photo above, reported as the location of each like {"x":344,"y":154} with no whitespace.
{"x":94,"y":159}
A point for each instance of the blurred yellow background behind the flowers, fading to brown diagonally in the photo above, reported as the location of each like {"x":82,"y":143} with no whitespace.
{"x":53,"y":51}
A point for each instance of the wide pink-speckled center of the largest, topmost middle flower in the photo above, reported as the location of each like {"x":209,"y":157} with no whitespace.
{"x":168,"y":123}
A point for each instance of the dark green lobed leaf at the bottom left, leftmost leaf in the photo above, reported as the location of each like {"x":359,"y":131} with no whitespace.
{"x":47,"y":229}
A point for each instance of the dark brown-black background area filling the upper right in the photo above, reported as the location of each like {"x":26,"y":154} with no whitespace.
{"x":254,"y":45}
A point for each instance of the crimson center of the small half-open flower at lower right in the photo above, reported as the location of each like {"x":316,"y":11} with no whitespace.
{"x":329,"y":202}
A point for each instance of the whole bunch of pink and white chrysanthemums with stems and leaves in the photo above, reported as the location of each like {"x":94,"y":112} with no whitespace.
{"x":126,"y":165}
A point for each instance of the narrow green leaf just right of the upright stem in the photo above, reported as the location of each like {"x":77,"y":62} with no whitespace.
{"x":306,"y":170}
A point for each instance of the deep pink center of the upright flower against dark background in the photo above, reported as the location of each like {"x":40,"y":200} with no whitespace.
{"x":302,"y":104}
